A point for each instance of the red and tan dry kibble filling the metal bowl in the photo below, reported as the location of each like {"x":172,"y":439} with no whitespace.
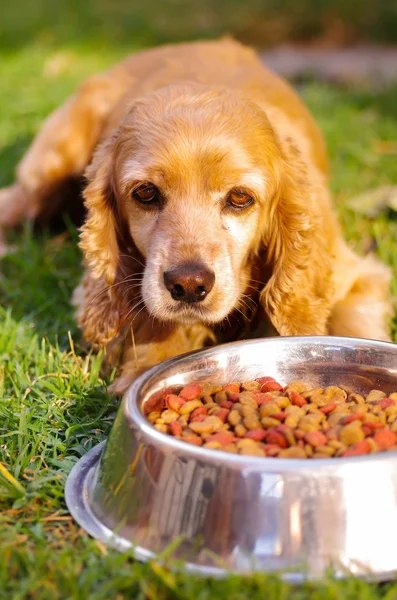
{"x":264,"y":418}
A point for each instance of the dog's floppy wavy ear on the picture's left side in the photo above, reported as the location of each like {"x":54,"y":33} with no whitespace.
{"x":102,"y":306}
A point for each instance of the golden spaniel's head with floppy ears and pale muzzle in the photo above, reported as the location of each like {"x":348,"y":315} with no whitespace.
{"x":196,"y":180}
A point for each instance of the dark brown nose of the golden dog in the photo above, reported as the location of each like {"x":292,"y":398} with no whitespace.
{"x":189,"y":282}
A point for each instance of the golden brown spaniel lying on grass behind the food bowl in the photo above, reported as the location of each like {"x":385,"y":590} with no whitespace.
{"x":209,"y":217}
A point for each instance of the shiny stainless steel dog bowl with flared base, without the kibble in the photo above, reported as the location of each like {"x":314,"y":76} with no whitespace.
{"x":231,"y":513}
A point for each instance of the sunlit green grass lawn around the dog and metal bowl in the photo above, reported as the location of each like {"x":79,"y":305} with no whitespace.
{"x":53,"y":404}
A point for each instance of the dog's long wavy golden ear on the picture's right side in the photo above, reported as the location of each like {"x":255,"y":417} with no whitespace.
{"x":297,"y":297}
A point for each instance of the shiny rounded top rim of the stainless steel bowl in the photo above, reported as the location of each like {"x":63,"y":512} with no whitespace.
{"x":133,"y":414}
